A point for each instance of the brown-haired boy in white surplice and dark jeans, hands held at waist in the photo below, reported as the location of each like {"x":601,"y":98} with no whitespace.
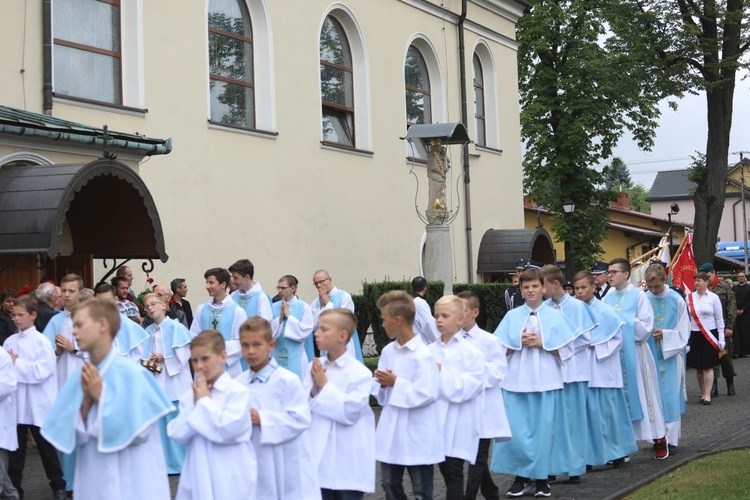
{"x":407,"y":386}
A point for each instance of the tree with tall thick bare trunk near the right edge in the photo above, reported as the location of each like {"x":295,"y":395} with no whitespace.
{"x":692,"y":45}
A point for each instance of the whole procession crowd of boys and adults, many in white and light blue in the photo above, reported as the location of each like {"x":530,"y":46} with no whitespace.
{"x":266,"y":397}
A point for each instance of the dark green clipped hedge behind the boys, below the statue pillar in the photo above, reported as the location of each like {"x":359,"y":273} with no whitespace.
{"x":490,"y":295}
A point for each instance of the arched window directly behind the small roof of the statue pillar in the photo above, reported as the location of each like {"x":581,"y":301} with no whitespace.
{"x":418,"y":96}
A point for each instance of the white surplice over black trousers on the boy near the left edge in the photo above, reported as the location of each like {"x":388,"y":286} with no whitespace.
{"x":36,"y":375}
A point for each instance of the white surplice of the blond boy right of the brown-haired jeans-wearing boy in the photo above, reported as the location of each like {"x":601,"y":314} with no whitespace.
{"x":461,"y":382}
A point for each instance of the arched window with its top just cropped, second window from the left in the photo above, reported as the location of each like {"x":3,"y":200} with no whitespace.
{"x":230,"y":54}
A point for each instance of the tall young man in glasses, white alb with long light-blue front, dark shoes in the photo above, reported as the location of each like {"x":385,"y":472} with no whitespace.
{"x":642,"y":393}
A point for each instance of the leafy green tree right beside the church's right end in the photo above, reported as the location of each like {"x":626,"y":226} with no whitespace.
{"x":578,"y":97}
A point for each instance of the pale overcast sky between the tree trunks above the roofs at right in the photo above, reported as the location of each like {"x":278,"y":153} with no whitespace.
{"x":682,"y":132}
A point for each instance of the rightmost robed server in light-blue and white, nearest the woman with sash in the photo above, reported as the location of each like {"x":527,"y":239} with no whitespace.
{"x":671,"y":335}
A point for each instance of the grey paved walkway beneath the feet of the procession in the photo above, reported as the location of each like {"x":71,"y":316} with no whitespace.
{"x":721,"y":426}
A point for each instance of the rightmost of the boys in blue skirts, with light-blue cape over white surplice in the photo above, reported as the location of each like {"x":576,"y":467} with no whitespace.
{"x":610,"y":433}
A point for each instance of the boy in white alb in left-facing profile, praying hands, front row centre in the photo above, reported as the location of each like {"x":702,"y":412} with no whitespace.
{"x":343,"y":425}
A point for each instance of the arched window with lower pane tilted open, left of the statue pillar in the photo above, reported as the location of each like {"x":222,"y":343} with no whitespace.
{"x":336,"y":84}
